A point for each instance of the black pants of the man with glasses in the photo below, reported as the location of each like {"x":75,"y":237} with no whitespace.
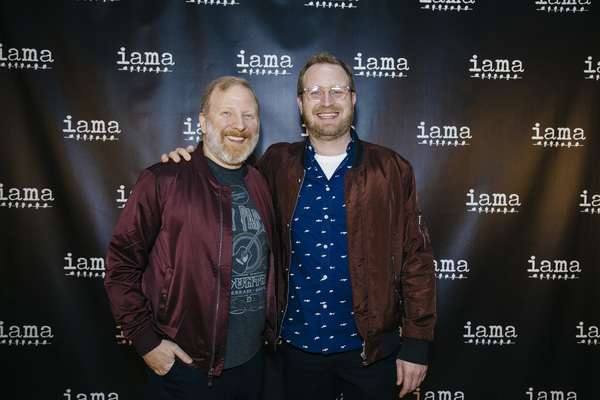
{"x":310,"y":376}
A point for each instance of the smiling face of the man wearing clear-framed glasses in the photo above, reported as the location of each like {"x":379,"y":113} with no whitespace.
{"x":327,"y":119}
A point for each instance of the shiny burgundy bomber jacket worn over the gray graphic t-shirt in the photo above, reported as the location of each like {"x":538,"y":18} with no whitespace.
{"x":168,"y":268}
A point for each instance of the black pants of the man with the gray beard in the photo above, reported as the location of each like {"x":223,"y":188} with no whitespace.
{"x":185,"y":383}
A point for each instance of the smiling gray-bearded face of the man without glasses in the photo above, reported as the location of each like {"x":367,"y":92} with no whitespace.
{"x":230,"y":128}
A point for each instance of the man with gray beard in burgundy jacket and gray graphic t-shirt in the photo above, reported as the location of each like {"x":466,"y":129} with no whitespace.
{"x":190,"y":265}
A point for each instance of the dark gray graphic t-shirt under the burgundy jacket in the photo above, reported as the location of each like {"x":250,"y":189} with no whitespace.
{"x":249,"y":264}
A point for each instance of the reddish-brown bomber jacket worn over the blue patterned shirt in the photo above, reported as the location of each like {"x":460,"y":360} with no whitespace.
{"x":389,"y":251}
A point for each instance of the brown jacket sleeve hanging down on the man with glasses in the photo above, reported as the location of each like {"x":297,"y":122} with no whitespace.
{"x":417,"y":279}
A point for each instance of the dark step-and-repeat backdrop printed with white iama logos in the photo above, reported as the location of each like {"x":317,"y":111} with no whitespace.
{"x":495,"y":102}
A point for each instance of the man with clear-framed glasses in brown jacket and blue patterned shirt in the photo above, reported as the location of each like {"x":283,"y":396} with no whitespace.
{"x":356,"y":285}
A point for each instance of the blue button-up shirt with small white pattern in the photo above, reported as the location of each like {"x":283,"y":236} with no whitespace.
{"x":320,"y":318}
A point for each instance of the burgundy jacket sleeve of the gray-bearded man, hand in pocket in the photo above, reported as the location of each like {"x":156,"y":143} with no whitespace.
{"x":127,"y":259}
